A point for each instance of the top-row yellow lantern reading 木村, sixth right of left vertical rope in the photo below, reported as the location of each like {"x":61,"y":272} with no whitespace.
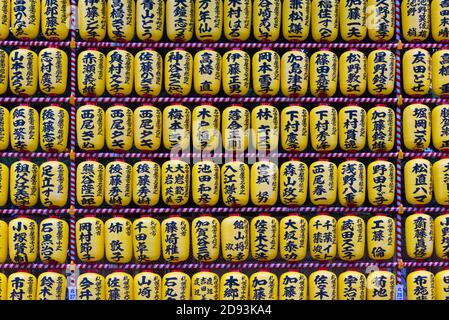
{"x":237,"y":19}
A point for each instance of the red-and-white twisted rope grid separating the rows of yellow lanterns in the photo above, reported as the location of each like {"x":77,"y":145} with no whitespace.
{"x":72,"y":211}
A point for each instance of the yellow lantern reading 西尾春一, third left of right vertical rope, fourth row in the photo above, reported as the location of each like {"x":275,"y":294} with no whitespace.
{"x":323,"y":182}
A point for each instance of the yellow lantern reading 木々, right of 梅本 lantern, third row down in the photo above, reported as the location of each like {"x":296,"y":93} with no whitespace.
{"x":206,"y":127}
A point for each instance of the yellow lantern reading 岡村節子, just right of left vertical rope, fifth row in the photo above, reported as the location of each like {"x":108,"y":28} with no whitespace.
{"x":90,"y":236}
